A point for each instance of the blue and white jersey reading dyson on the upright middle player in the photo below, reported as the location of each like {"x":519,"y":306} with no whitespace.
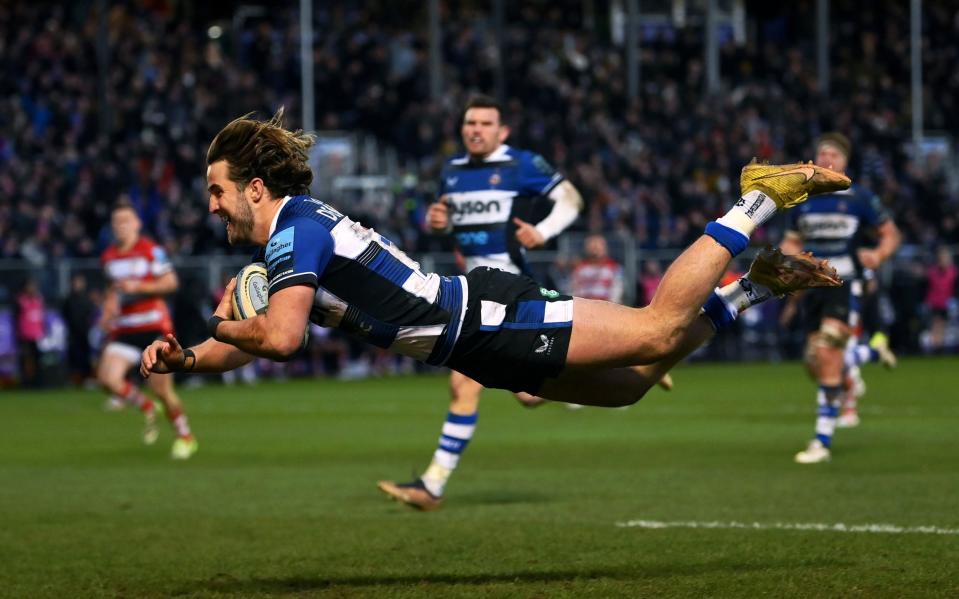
{"x":481,"y":199}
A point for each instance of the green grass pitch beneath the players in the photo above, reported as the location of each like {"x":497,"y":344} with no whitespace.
{"x":281,"y":499}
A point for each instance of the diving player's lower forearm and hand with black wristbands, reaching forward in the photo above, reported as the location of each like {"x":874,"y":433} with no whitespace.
{"x":166,"y":355}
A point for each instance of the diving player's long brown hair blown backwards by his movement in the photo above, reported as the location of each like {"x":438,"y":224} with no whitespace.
{"x":266,"y":150}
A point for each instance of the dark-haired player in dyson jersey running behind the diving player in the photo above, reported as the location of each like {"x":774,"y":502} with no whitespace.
{"x":480,"y":194}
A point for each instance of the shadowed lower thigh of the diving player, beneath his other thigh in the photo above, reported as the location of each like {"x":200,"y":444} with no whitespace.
{"x":605,"y":388}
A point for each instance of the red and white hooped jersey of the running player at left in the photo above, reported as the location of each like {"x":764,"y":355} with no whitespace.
{"x":145,"y":261}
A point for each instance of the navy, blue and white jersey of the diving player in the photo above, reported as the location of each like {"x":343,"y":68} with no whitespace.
{"x":364,"y":285}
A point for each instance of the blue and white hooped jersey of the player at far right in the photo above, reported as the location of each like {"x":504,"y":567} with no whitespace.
{"x":831,"y":225}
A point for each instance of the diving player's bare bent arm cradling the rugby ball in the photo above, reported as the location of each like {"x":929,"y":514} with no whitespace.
{"x":278,"y":333}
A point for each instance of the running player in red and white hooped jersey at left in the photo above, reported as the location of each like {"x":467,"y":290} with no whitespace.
{"x":134,"y":315}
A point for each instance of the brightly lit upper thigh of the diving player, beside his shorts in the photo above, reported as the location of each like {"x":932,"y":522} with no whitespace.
{"x":609,"y":335}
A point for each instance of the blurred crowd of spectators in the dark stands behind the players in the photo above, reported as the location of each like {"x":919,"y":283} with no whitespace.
{"x":653,"y":170}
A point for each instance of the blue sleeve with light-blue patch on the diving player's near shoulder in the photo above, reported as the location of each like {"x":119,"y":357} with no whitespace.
{"x":298,"y":253}
